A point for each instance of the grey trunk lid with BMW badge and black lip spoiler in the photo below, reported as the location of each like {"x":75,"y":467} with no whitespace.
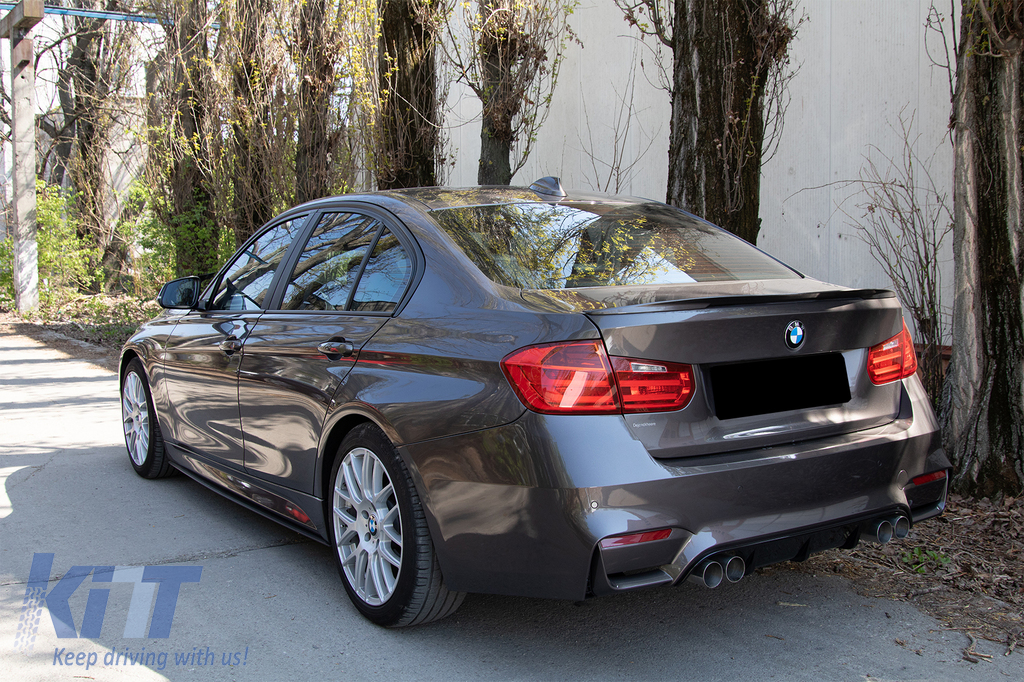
{"x":754,"y":389}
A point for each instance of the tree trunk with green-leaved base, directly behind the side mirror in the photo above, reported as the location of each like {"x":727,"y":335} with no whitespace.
{"x":194,"y":229}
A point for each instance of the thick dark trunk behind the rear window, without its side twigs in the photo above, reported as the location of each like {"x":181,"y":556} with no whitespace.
{"x":717,"y":127}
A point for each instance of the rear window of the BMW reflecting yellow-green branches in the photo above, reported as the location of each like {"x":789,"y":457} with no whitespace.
{"x":567,"y":246}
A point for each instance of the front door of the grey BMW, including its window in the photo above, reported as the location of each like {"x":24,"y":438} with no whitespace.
{"x":202,"y":357}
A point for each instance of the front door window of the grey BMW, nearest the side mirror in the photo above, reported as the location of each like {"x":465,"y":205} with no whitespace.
{"x":247,"y":280}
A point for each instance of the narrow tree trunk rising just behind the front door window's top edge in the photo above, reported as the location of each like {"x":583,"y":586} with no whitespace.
{"x":251,"y":126}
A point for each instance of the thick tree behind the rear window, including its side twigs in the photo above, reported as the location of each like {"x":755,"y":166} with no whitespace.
{"x":730,"y":73}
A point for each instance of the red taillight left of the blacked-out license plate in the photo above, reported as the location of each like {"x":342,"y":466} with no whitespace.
{"x":579,"y":378}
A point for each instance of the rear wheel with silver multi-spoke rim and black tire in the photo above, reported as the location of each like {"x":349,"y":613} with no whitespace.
{"x":380,"y":536}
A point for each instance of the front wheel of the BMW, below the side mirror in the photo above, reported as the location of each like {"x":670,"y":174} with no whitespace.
{"x":143,"y":438}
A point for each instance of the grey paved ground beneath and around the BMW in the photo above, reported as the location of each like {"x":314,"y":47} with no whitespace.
{"x":269,"y":605}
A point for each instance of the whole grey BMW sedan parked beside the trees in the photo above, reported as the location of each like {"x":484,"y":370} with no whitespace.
{"x":534,"y":393}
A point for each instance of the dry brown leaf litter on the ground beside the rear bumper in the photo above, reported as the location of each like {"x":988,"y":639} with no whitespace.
{"x":965,"y":568}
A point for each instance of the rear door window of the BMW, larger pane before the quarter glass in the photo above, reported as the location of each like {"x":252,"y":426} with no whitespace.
{"x":326,"y":273}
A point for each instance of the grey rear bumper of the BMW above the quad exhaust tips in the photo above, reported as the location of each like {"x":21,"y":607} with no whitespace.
{"x":522,"y":509}
